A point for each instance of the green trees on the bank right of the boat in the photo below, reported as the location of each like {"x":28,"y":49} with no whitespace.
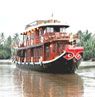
{"x":87,"y":40}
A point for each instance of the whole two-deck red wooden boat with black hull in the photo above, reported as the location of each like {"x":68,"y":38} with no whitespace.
{"x":47,"y":47}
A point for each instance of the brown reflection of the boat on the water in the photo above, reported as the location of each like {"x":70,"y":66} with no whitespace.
{"x":34,"y":84}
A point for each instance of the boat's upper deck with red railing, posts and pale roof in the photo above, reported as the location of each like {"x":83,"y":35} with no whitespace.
{"x":43,"y":31}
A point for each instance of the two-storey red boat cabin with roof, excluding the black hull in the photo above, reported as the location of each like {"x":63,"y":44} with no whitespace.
{"x":44,"y":40}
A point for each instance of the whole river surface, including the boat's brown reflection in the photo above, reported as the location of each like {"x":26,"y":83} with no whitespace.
{"x":22,"y":83}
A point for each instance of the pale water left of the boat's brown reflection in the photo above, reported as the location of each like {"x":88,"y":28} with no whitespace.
{"x":7,"y":87}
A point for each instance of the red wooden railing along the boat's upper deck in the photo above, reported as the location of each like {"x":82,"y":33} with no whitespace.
{"x":48,"y":37}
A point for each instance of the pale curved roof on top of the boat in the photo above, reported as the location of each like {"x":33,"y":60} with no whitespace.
{"x":44,"y":23}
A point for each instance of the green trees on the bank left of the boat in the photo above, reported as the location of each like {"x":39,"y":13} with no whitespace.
{"x":6,"y":49}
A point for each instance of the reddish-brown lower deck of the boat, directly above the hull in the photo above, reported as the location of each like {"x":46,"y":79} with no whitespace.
{"x":44,"y":52}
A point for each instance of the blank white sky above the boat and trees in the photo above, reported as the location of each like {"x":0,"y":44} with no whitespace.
{"x":15,"y":14}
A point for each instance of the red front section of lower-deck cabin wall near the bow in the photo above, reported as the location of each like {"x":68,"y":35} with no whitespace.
{"x":54,"y":49}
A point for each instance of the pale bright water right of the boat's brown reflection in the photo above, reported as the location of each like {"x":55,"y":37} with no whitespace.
{"x":88,"y":76}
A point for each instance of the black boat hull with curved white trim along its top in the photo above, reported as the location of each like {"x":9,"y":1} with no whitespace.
{"x":58,"y":65}
